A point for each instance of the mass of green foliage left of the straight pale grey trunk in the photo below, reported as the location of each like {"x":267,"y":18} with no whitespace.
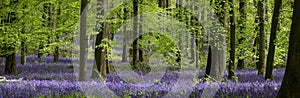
{"x":31,"y":24}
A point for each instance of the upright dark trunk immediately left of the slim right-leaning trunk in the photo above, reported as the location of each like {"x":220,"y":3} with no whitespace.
{"x":261,"y":12}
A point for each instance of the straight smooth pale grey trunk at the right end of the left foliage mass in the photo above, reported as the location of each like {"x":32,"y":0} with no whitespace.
{"x":83,"y":42}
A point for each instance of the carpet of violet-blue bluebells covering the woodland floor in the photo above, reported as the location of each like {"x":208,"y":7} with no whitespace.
{"x":46,"y":78}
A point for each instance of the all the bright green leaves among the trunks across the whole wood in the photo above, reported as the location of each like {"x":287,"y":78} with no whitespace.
{"x":37,"y":27}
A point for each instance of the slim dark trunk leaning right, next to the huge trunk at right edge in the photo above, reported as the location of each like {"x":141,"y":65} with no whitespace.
{"x":270,"y":58}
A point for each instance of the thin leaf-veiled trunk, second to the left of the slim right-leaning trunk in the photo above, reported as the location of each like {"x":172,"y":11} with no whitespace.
{"x":241,"y":61}
